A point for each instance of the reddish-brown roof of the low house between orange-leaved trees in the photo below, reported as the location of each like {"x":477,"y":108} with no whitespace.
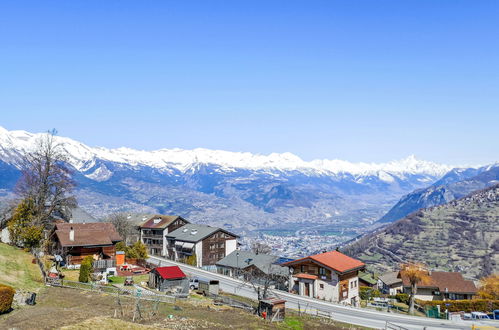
{"x":446,"y":282}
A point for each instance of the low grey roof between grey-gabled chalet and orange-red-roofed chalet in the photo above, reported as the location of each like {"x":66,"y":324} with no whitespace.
{"x":264,"y":262}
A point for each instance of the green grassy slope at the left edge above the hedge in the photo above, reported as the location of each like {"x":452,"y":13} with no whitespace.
{"x":17,"y":270}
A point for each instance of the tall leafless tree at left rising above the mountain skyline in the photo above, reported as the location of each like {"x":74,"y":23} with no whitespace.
{"x":46,"y":180}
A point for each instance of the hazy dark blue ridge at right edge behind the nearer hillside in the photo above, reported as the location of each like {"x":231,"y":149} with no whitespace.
{"x":456,"y":184}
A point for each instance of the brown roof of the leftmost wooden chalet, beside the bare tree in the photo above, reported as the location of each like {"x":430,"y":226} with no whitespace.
{"x":87,"y":234}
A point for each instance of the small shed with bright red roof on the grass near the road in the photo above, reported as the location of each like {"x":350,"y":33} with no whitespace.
{"x":170,"y":278}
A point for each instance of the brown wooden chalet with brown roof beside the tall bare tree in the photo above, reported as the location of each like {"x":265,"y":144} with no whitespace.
{"x":75,"y":241}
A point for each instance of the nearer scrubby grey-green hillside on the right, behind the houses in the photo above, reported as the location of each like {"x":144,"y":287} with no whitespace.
{"x":462,"y":235}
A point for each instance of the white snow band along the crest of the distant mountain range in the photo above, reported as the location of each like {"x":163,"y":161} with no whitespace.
{"x":84,"y":158}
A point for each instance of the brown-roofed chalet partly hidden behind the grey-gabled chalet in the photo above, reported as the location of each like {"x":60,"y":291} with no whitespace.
{"x":154,"y":230}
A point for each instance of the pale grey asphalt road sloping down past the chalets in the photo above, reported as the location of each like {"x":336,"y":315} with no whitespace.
{"x":352,"y":315}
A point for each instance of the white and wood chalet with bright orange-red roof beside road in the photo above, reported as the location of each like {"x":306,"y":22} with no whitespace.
{"x":330,"y":276}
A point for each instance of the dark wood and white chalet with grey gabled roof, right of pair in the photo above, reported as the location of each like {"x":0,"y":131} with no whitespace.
{"x":208,"y":244}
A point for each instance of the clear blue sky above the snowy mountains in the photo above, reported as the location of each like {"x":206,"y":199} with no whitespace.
{"x":355,"y":80}
